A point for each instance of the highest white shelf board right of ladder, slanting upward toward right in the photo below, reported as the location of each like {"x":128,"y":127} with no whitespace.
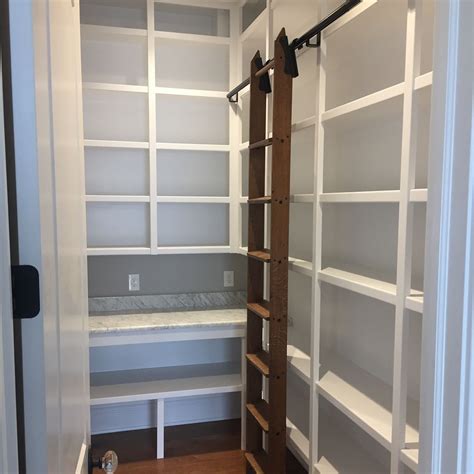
{"x":381,"y":103}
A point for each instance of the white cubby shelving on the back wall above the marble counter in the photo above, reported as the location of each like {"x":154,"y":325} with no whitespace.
{"x":129,"y":52}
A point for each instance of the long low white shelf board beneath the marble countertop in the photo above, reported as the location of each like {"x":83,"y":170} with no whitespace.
{"x":166,"y":382}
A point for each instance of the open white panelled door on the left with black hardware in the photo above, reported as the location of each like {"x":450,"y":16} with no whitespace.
{"x":47,"y":118}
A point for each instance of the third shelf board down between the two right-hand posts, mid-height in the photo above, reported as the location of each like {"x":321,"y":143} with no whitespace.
{"x":377,"y":289}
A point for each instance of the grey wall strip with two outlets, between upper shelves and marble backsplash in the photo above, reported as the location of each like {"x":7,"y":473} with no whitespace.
{"x":165,"y":274}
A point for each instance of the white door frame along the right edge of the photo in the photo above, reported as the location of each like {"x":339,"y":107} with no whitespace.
{"x":447,"y":390}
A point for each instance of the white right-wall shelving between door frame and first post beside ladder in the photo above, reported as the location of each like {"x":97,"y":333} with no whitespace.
{"x":370,"y":200}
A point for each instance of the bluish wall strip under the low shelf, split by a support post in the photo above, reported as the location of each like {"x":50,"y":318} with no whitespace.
{"x":181,"y":411}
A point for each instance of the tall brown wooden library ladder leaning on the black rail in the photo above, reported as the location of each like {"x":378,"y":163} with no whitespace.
{"x":268,"y":417}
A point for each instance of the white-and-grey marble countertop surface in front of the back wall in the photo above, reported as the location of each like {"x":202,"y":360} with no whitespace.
{"x":168,"y":320}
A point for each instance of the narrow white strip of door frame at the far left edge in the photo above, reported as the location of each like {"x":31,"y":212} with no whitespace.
{"x":8,"y":442}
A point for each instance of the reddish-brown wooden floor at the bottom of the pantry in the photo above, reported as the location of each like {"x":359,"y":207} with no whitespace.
{"x":189,"y":449}
